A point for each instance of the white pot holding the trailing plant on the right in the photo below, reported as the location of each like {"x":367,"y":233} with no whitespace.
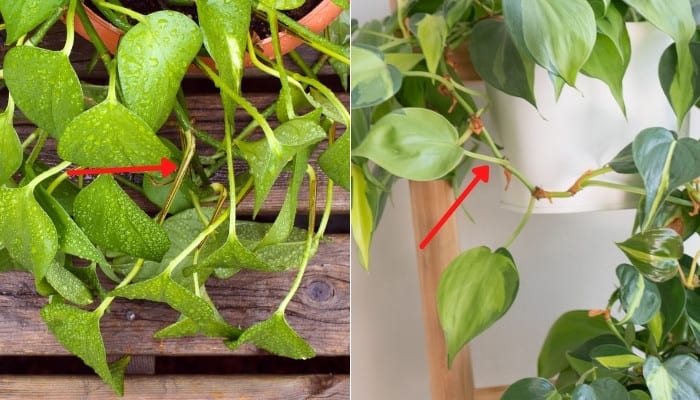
{"x":581,"y":131}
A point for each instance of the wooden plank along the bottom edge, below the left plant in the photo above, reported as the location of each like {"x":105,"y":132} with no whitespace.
{"x":179,"y":387}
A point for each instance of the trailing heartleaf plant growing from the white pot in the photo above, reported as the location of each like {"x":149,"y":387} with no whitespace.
{"x":413,"y":118}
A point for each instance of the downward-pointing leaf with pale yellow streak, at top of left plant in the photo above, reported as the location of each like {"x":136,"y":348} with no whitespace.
{"x":225,"y":26}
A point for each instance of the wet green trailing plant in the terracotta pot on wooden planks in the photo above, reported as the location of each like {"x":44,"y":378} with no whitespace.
{"x":71,"y":233}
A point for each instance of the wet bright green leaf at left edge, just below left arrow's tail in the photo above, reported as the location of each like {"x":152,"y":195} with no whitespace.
{"x":26,"y":231}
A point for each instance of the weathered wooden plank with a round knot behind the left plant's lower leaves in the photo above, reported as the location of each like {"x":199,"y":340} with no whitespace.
{"x":320,"y":311}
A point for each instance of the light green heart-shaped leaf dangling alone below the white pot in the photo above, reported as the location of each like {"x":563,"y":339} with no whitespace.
{"x":475,"y":290}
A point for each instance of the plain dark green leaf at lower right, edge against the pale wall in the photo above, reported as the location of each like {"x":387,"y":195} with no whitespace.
{"x":569,"y":332}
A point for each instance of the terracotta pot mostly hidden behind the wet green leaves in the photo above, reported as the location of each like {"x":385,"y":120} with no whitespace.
{"x":316,"y":20}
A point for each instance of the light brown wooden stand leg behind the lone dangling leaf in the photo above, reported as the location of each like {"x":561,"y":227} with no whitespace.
{"x":429,"y":201}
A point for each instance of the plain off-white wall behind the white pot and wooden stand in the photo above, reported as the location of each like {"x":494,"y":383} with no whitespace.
{"x":565,"y":261}
